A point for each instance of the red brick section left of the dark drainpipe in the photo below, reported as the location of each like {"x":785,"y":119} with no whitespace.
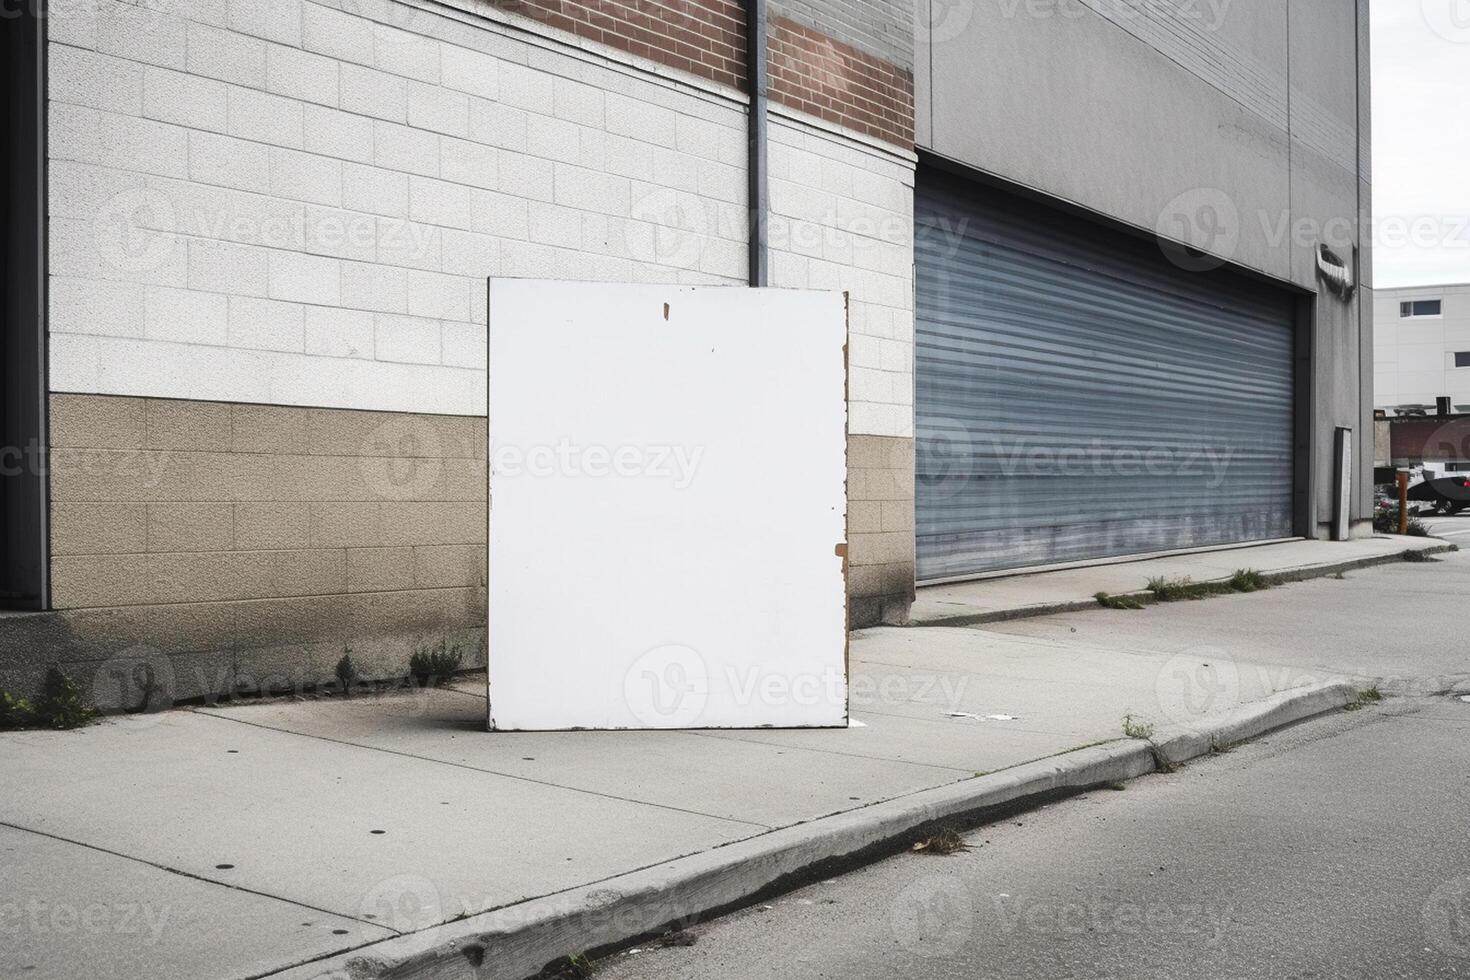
{"x":700,"y":37}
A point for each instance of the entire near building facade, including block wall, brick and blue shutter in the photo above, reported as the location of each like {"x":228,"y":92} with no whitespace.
{"x":257,"y":345}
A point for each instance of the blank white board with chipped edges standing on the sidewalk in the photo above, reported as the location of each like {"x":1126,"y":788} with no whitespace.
{"x":668,"y":508}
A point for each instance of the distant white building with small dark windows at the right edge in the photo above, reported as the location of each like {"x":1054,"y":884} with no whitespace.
{"x":1422,"y":349}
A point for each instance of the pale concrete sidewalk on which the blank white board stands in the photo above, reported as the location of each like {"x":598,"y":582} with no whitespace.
{"x":277,"y":837}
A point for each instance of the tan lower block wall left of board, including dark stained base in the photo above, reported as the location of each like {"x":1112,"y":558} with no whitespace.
{"x":251,"y":546}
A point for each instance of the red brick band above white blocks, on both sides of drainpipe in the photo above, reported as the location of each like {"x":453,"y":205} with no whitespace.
{"x":809,"y":71}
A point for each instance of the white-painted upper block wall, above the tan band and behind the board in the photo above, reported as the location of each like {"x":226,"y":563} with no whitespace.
{"x":298,"y":202}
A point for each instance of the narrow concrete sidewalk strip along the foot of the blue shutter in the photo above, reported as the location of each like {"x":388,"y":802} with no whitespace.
{"x":999,"y":599}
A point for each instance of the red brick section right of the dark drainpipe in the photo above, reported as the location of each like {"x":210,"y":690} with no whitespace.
{"x":830,"y":80}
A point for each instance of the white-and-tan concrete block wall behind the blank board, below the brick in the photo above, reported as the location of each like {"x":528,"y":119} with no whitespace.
{"x":268,"y":217}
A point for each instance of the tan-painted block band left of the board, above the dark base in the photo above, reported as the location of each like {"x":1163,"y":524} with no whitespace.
{"x":207,"y":502}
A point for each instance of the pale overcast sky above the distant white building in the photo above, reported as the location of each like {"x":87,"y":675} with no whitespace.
{"x":1421,"y":142}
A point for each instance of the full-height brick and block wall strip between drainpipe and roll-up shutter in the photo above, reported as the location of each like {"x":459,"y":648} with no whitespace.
{"x":852,"y":62}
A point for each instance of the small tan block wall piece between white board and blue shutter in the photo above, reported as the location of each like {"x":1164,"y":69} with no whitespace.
{"x":881,"y":530}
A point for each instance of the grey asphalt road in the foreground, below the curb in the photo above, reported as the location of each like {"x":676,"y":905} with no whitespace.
{"x":1335,"y":850}
